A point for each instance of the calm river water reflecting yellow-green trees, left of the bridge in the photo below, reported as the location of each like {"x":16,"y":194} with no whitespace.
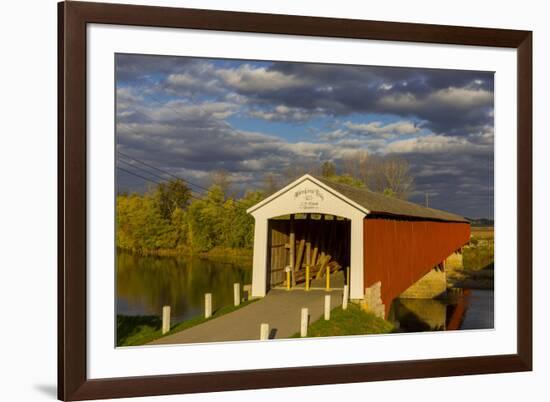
{"x":146,"y":283}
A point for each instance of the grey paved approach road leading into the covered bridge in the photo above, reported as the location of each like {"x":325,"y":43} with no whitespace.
{"x":281,"y":309}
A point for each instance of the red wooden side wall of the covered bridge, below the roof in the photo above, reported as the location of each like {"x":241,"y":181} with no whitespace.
{"x":399,"y":252}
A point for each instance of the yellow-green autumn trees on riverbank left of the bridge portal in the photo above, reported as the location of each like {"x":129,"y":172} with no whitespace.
{"x":169,"y":217}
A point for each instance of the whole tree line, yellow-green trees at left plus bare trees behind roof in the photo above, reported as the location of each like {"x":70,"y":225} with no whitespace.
{"x":169,"y":217}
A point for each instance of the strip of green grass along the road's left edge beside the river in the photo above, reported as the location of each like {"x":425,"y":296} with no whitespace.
{"x":139,"y":330}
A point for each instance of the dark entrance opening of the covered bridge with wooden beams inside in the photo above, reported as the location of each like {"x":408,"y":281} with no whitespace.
{"x":303,"y":249}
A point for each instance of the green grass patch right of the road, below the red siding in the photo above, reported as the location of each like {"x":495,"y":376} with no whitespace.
{"x":353,"y":321}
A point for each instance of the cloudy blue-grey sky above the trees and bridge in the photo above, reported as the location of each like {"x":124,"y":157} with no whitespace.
{"x":191,"y":117}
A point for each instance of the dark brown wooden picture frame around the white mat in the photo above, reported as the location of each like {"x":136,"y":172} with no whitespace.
{"x":73,"y":17}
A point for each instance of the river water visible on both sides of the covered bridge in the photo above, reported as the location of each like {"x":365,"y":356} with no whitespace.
{"x":146,"y":283}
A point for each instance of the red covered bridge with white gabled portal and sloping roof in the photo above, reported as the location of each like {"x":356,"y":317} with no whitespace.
{"x":387,"y":243}
